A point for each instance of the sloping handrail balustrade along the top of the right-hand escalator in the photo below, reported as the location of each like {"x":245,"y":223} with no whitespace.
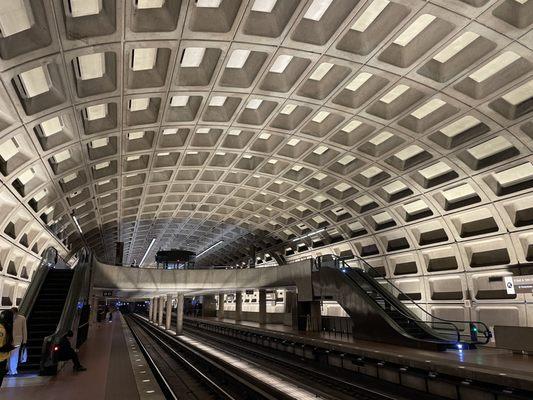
{"x":475,"y":328}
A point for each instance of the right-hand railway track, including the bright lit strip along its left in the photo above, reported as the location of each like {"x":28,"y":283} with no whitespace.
{"x":282,"y":371}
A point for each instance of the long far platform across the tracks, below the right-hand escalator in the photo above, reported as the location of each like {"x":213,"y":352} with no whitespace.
{"x":485,"y":364}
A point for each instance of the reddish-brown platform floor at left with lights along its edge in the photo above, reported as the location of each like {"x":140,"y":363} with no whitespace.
{"x":116,"y":369}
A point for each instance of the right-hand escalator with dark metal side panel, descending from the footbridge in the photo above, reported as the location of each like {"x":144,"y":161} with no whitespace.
{"x":378,"y":312}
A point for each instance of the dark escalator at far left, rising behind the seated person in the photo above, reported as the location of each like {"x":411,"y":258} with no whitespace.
{"x":53,"y":304}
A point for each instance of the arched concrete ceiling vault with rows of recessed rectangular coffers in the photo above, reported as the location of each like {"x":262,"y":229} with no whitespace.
{"x":393,"y":124}
